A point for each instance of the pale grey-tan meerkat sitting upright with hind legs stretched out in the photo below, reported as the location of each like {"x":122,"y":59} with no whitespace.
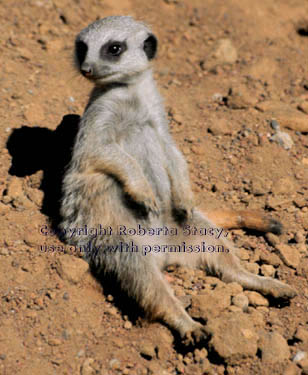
{"x":126,"y":171}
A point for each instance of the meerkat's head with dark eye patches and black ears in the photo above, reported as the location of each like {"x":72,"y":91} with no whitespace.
{"x":114,"y":49}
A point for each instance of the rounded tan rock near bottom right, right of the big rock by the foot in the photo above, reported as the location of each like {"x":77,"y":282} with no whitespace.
{"x":274,"y":348}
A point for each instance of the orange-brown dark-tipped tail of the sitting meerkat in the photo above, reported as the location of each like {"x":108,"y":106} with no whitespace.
{"x":250,"y":219}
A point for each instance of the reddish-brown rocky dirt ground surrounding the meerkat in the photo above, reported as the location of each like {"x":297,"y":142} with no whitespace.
{"x":231,"y":73}
